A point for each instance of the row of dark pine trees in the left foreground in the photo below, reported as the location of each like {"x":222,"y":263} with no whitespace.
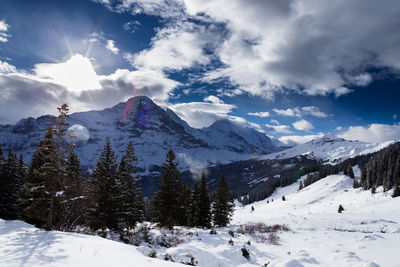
{"x":51,"y":193}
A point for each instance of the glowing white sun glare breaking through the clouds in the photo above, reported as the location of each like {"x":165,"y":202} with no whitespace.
{"x":76,"y":74}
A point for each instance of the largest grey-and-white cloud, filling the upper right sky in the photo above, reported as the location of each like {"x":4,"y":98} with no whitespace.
{"x":277,"y":44}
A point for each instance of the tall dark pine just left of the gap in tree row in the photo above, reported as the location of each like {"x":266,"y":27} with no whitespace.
{"x":130,"y":198}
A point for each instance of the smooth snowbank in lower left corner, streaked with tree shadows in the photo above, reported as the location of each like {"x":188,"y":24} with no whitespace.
{"x":22,"y":244}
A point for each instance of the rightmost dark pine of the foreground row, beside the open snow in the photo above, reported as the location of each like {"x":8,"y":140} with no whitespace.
{"x":223,"y":206}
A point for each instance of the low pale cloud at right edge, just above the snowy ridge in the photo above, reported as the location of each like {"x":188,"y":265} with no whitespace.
{"x":374,"y":133}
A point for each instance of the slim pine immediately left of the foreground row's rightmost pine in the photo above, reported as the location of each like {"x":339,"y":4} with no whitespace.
{"x":204,"y":219}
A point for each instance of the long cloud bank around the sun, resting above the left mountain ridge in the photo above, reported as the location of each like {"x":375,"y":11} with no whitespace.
{"x":74,"y":82}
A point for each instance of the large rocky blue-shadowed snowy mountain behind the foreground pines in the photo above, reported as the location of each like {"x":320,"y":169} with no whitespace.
{"x":153,"y":131}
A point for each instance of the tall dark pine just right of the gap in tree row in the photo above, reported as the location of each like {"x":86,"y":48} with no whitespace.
{"x":166,"y":198}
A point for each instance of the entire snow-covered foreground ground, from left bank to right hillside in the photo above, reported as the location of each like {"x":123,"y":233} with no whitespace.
{"x":366,"y":234}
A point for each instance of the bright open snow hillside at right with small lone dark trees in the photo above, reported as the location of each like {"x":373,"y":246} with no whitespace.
{"x":367,"y":233}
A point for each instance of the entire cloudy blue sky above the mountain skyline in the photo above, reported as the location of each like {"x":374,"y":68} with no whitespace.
{"x":292,"y":69}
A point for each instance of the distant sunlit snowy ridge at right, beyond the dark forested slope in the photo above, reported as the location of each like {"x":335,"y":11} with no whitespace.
{"x":329,"y":148}
